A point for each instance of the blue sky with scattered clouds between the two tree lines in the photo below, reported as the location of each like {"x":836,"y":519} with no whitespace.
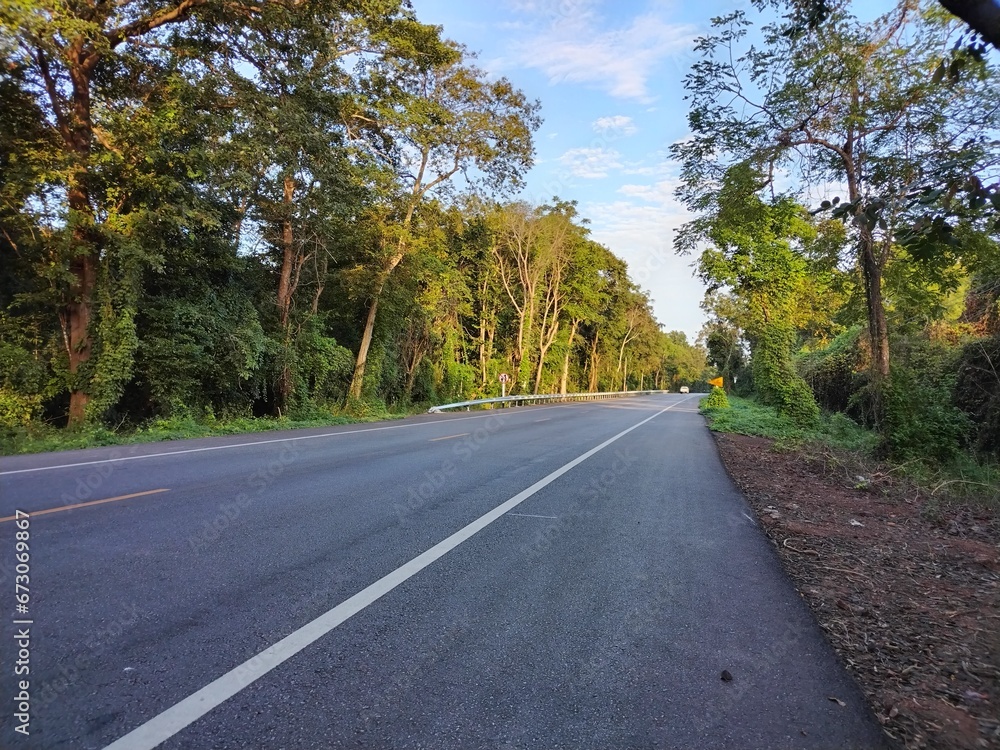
{"x":609,"y":77}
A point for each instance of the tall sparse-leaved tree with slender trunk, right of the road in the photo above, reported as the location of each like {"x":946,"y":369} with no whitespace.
{"x":844,"y":102}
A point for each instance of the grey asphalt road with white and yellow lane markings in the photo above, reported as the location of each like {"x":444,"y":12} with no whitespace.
{"x":469,"y":580}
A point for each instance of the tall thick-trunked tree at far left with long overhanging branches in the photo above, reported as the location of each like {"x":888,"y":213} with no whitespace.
{"x":85,"y":65}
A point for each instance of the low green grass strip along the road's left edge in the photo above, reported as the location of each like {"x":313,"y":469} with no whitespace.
{"x":38,"y":438}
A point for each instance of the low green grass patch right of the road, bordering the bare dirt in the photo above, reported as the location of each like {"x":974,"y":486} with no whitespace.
{"x":748,"y":417}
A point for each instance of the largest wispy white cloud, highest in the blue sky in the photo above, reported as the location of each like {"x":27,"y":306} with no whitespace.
{"x":577,"y":46}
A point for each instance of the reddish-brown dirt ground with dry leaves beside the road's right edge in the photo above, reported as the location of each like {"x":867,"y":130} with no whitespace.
{"x":907,"y":590}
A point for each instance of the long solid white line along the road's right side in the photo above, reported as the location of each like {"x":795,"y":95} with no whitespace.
{"x":165,"y":725}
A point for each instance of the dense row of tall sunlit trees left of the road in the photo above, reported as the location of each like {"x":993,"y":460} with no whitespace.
{"x":269,"y":208}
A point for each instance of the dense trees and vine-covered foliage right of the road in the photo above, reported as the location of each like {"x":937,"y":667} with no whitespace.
{"x":879,"y":301}
